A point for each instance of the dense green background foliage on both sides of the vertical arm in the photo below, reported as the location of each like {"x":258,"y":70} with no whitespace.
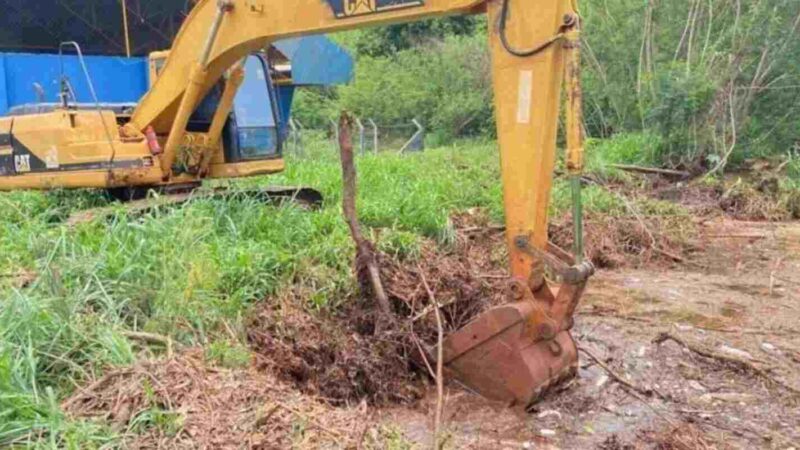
{"x":714,"y":81}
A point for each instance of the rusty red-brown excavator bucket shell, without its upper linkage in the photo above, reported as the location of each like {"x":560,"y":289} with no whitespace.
{"x":495,"y":356}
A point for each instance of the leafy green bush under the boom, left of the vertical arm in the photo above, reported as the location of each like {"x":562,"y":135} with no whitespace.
{"x":444,"y":84}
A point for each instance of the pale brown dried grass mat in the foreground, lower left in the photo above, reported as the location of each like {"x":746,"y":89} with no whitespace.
{"x":214,"y":408}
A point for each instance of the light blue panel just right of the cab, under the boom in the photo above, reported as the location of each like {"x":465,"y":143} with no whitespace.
{"x":316,"y":61}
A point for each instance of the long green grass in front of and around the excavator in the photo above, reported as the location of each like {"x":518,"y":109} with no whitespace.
{"x":195,"y":272}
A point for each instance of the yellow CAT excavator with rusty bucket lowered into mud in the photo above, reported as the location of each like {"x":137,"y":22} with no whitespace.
{"x":513,"y":353}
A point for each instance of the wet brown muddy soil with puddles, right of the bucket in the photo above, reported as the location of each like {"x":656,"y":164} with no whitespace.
{"x":740,"y":296}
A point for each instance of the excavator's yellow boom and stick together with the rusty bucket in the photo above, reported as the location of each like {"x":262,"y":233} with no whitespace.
{"x":514,"y":352}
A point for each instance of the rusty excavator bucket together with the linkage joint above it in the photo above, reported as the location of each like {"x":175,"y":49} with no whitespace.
{"x":517,"y":353}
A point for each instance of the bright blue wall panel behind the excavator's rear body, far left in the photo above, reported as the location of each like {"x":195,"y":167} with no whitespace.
{"x":116,"y":79}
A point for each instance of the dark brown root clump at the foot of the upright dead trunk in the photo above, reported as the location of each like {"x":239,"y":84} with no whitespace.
{"x":336,"y":357}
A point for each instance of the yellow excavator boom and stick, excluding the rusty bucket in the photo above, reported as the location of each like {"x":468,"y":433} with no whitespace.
{"x":527,"y":85}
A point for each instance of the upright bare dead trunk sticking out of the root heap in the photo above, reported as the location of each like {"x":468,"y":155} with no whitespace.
{"x":365,"y":254}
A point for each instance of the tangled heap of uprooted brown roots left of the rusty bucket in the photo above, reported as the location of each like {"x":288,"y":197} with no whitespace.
{"x":339,"y":355}
